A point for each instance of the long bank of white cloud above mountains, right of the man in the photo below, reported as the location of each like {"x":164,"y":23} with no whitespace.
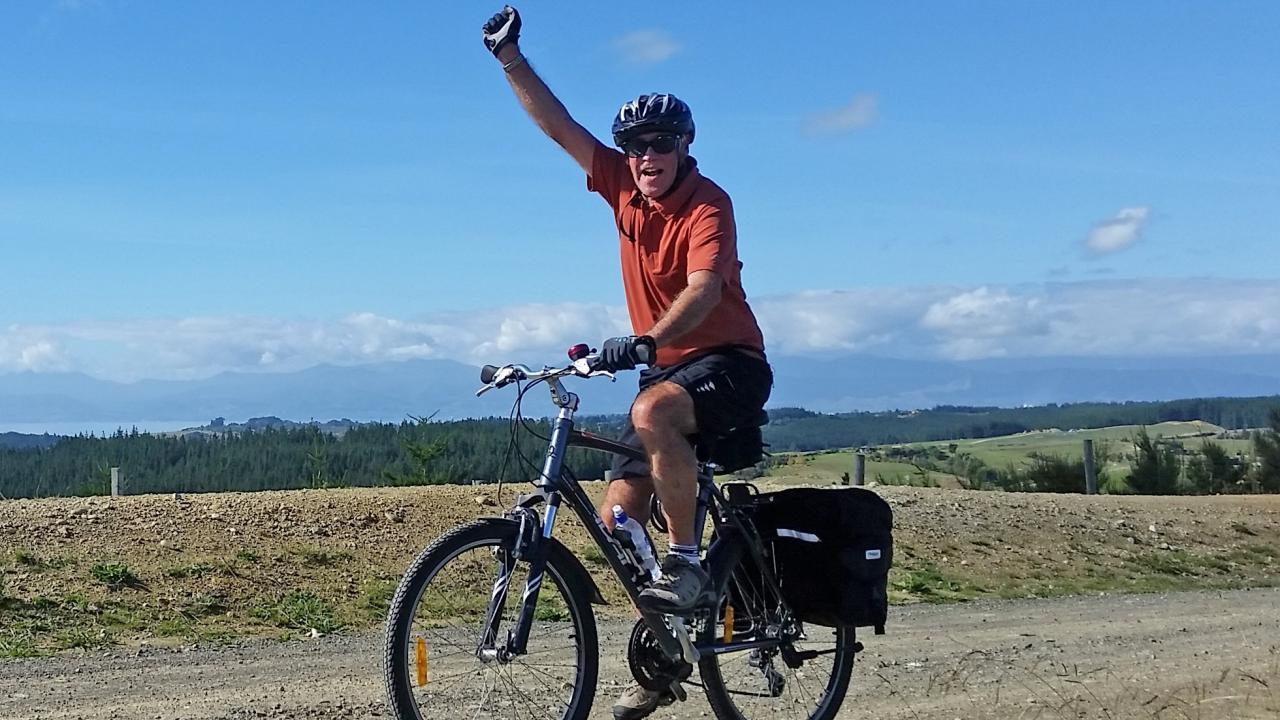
{"x":1113,"y":318}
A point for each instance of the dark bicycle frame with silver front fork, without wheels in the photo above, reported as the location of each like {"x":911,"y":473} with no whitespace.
{"x":555,"y":486}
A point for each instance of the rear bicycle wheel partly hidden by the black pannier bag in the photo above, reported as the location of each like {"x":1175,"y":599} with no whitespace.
{"x":738,"y":690}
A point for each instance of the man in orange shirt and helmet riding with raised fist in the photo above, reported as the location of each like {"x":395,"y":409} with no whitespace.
{"x":683,"y":284}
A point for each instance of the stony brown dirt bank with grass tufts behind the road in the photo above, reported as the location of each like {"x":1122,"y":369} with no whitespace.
{"x":182,"y":569}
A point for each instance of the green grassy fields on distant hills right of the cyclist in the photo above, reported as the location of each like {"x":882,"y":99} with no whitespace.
{"x":828,"y":467}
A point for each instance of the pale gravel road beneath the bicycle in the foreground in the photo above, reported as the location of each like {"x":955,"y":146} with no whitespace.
{"x":1177,"y":655}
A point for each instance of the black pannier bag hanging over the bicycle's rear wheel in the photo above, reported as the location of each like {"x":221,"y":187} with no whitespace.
{"x":833,"y":550}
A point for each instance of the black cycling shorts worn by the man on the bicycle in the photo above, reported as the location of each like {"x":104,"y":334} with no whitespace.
{"x":729,"y":389}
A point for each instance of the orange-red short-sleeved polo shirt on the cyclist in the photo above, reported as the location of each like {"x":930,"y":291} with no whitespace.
{"x":664,"y":241}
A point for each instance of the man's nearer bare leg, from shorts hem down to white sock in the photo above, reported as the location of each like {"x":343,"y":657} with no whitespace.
{"x":664,"y":418}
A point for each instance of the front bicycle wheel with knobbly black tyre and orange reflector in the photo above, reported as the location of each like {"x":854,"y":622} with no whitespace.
{"x":435,"y":667}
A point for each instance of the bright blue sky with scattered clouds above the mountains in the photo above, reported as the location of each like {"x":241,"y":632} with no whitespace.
{"x":188,"y":189}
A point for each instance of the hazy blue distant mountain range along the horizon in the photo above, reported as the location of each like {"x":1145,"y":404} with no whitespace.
{"x":395,"y":391}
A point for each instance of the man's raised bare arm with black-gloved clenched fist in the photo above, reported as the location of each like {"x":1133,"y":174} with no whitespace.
{"x":502,"y":39}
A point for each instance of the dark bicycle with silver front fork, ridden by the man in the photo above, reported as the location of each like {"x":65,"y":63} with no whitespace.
{"x":461,"y":645}
